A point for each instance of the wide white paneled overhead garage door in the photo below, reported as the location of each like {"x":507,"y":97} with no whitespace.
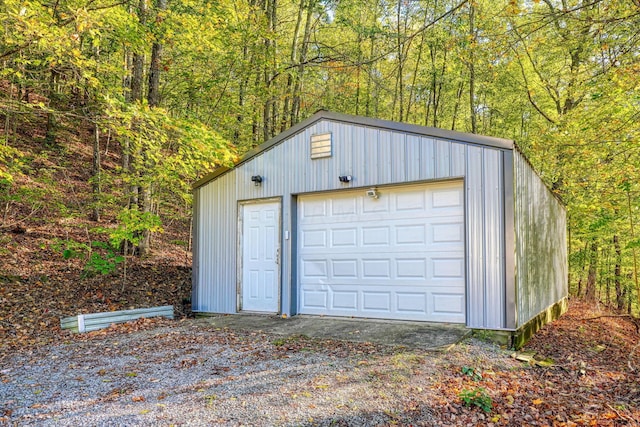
{"x":398,"y":256}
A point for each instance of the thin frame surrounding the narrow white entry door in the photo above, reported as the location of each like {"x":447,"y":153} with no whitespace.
{"x":239,"y":248}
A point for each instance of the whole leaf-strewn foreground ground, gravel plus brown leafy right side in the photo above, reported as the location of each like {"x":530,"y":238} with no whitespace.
{"x":187,"y":372}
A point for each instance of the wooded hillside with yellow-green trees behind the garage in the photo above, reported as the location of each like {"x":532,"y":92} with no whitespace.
{"x":110,"y":110}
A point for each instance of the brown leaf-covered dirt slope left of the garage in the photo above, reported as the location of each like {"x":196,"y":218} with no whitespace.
{"x":47,"y":209}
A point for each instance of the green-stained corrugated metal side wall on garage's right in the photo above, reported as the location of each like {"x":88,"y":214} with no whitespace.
{"x":540,"y":244}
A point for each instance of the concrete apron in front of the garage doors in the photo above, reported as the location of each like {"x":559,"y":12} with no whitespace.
{"x":420,"y":335}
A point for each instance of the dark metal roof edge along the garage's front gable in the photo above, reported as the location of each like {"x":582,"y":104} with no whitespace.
{"x":450,"y":135}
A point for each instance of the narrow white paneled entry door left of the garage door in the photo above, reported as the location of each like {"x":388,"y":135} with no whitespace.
{"x":260,"y":253}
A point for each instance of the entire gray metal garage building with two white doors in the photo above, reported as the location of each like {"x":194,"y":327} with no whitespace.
{"x":351,"y":216}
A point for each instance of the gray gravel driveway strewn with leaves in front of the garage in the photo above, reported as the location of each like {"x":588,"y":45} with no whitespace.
{"x":191,"y":373}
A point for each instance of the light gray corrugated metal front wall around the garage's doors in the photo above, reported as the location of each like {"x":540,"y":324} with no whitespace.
{"x":372,"y":156}
